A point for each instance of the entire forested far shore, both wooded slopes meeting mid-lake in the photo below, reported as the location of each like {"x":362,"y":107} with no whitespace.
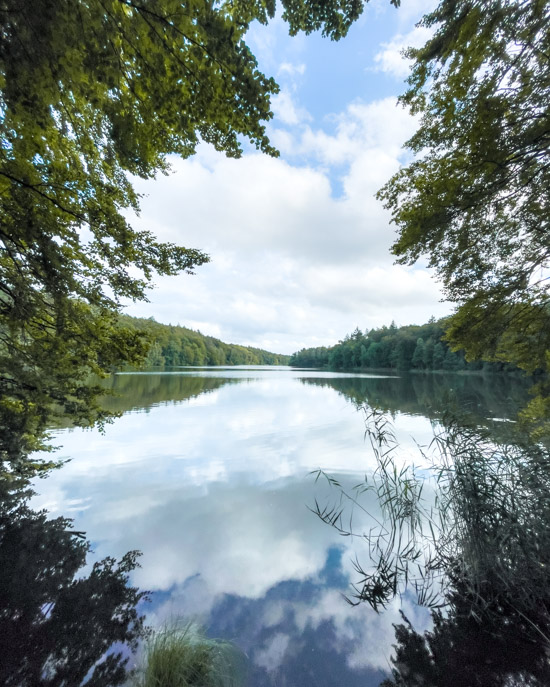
{"x":409,"y":348}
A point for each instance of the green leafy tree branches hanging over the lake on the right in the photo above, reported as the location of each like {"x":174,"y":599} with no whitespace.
{"x":475,"y":198}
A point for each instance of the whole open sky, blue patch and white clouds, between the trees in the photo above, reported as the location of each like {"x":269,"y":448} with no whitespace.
{"x":299,"y":245}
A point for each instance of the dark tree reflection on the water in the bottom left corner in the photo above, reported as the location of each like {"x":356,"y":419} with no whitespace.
{"x":58,"y":628}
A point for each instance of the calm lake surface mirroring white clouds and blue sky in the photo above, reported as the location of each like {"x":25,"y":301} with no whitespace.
{"x":208,"y":474}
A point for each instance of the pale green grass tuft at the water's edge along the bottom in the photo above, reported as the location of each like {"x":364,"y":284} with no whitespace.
{"x":182,"y":656}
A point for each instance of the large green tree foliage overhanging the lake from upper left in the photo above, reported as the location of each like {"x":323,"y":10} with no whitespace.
{"x":91,"y":93}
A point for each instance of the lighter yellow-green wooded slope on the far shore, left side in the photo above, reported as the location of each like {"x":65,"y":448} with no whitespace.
{"x":175,"y":345}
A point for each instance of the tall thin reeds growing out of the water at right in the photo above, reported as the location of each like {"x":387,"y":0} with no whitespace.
{"x":486,"y":532}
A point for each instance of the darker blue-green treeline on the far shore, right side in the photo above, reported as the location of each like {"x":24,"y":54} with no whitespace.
{"x":414,"y":347}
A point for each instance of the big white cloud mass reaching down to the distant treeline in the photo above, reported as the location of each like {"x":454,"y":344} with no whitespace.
{"x":293,"y":263}
